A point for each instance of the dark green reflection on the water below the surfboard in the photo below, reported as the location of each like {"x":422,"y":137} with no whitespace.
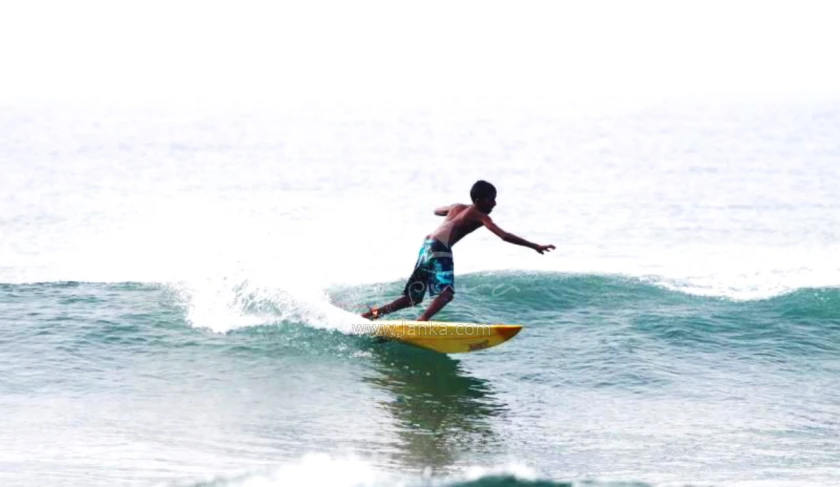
{"x":440,"y":411}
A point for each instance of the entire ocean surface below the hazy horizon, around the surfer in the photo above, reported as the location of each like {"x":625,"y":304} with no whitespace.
{"x":180,"y":289}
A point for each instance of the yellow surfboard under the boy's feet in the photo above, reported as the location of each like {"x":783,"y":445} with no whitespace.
{"x":444,"y":337}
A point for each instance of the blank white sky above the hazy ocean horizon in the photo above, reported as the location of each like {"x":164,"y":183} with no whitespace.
{"x":361,"y":50}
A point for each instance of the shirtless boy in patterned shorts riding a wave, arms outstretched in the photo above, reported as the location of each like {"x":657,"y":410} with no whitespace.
{"x":434,"y":270}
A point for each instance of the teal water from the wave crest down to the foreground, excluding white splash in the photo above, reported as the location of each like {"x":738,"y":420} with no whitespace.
{"x":612,"y":379}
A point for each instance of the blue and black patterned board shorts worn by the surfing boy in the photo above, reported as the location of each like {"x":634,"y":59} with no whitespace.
{"x":434,"y":271}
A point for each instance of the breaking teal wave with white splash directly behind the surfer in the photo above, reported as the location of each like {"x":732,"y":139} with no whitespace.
{"x":225,"y":305}
